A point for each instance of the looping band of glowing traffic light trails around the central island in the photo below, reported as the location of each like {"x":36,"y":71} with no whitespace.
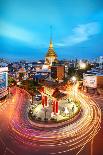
{"x":70,"y":136}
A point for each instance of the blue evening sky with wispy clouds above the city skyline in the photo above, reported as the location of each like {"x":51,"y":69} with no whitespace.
{"x":25,"y":28}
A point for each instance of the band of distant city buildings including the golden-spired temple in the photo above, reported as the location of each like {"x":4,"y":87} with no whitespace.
{"x":52,"y":69}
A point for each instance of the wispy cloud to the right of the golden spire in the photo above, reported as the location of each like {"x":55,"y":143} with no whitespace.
{"x":80,"y":34}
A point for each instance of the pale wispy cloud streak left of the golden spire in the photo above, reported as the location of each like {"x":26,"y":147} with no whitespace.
{"x":18,"y":33}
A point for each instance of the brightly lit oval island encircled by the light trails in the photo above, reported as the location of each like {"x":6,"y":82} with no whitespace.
{"x":67,"y":110}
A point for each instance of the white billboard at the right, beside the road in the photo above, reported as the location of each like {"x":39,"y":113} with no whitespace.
{"x":90,"y":81}
